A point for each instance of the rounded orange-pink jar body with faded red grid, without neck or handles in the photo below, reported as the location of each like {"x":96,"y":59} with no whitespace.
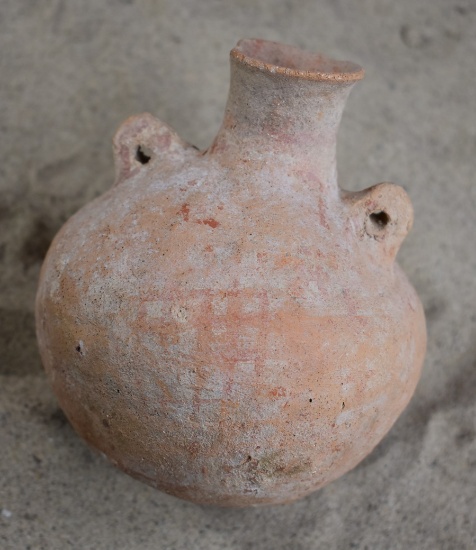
{"x":226,"y":343}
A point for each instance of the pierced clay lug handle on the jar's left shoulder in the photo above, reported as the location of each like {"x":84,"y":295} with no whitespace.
{"x":143,"y":140}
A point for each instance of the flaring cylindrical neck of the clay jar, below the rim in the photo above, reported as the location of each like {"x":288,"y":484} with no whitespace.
{"x":288,"y":119}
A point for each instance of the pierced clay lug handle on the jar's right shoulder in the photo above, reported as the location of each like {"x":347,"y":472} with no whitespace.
{"x":382,"y":214}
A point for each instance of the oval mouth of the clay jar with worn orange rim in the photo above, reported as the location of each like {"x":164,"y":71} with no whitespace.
{"x":277,"y":58}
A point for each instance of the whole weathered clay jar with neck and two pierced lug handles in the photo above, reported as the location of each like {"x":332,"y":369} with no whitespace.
{"x":228,"y":325}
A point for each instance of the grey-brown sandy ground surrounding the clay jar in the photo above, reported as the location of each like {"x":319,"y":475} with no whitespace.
{"x":70,"y":73}
